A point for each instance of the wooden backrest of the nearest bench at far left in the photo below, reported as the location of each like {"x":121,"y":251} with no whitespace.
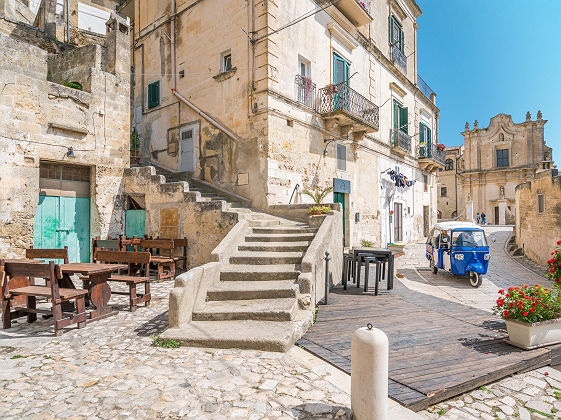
{"x":50,"y":272}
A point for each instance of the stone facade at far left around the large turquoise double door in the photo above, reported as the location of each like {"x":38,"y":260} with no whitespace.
{"x":46,"y":123}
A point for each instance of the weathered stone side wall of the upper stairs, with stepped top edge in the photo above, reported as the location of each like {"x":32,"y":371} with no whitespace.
{"x":204,"y":224}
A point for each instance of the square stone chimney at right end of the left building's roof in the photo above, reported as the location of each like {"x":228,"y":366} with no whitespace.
{"x":117,"y":45}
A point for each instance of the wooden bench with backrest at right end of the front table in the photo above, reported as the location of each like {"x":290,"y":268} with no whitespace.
{"x":138,"y":264}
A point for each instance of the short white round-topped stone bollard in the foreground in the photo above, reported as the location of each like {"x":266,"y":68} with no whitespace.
{"x":369,"y":374}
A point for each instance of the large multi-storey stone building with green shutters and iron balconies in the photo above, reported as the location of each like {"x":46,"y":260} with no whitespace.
{"x":246,"y":98}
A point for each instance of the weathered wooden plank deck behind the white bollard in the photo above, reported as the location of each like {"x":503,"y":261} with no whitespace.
{"x":438,"y":349}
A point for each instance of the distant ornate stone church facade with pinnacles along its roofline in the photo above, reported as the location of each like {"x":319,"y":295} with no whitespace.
{"x":493,"y":162}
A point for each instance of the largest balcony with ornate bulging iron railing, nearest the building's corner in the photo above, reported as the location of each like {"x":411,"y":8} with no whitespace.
{"x":347,"y":110}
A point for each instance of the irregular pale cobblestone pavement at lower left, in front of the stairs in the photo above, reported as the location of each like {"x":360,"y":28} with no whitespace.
{"x":110,"y":369}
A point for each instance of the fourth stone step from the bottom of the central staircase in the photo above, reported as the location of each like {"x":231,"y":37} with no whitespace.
{"x":259,"y":272}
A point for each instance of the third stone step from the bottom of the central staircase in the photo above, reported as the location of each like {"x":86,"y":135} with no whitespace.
{"x":245,"y":290}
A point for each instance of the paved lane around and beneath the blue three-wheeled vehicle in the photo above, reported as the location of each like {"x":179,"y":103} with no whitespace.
{"x":502,"y":273}
